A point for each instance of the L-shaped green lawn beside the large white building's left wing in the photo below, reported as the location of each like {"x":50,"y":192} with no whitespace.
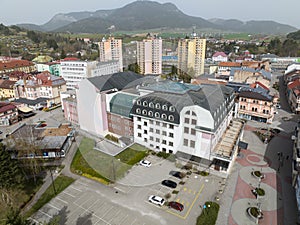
{"x":102,"y":167}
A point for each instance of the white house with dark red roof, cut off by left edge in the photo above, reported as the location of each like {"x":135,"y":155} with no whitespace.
{"x":8,"y":114}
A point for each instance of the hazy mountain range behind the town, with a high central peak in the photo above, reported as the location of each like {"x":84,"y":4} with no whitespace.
{"x":143,"y":15}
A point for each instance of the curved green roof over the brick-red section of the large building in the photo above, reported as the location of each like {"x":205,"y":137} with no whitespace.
{"x":121,"y":104}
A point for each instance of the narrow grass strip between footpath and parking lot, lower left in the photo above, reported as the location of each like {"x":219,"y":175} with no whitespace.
{"x":60,"y":183}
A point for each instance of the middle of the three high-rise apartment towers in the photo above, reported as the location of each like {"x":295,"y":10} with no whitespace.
{"x":149,"y":55}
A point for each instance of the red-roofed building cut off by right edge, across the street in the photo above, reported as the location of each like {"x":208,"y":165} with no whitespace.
{"x":293,"y":95}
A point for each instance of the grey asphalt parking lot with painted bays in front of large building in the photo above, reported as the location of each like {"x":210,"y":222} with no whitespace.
{"x":126,"y":202}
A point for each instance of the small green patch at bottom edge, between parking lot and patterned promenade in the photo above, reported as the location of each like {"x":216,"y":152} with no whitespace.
{"x":209,"y":215}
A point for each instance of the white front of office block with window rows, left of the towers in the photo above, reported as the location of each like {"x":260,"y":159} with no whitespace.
{"x":75,"y":71}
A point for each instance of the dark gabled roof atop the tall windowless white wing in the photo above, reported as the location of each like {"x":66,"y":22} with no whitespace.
{"x":115,"y":81}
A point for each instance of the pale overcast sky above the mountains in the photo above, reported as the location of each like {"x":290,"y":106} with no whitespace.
{"x":40,"y":12}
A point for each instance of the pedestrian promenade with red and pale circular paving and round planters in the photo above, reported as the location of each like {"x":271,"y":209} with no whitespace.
{"x":278,"y":203}
